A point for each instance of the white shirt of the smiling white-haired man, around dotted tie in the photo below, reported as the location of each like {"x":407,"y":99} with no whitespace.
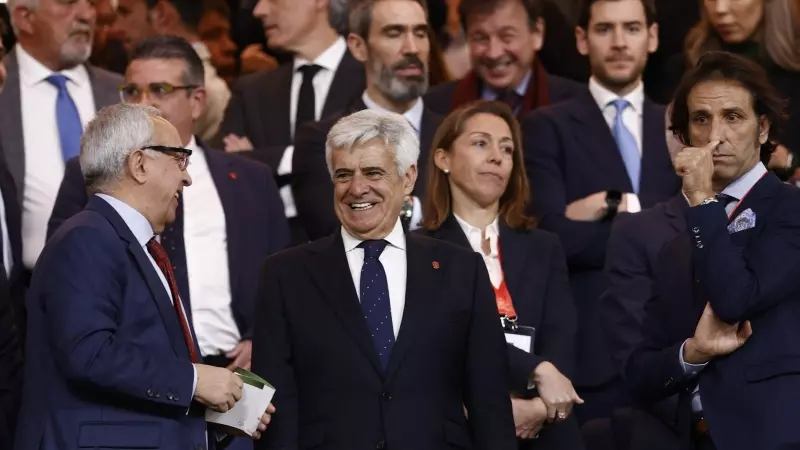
{"x":394,"y":262}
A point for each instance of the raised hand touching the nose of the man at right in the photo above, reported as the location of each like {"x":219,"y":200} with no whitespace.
{"x":696,"y":167}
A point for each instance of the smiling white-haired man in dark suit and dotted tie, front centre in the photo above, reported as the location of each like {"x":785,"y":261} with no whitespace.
{"x":377,"y":338}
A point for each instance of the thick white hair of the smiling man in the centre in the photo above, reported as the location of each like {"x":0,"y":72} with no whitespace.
{"x":393,"y":130}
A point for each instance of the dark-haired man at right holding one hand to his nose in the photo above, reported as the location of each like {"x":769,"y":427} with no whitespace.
{"x":723,"y":331}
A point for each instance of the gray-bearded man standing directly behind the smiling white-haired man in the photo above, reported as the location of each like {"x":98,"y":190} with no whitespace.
{"x":391,"y":38}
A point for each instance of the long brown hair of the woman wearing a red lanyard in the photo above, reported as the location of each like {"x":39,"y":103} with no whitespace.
{"x":514,"y":201}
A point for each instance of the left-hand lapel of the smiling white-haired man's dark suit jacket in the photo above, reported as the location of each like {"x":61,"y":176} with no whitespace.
{"x":330,"y":272}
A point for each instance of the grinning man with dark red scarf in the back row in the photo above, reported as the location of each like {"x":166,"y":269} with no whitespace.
{"x":503,"y":37}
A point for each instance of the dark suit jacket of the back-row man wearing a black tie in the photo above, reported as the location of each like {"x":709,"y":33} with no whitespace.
{"x":260,"y":105}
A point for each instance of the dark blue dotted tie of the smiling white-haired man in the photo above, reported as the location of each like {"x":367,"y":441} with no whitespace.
{"x":375,"y":300}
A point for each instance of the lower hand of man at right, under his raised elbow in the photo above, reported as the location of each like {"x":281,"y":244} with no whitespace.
{"x":713,"y":337}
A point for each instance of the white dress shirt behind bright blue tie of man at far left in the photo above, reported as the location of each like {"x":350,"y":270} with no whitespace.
{"x":44,"y":161}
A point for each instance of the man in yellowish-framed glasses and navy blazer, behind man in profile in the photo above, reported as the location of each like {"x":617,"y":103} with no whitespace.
{"x":226,"y":225}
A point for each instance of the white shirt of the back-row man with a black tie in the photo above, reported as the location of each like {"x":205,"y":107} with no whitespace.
{"x":329,"y":61}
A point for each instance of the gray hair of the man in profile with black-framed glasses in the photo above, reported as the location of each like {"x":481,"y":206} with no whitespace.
{"x":109,"y":139}
